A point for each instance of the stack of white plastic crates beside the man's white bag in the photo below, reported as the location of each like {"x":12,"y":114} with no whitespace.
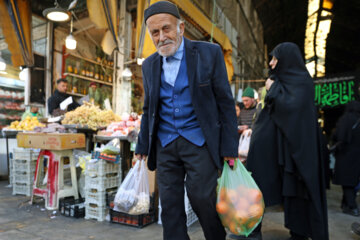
{"x":101,"y":177}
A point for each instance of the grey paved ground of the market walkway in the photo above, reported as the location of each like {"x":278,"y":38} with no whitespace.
{"x":21,"y":221}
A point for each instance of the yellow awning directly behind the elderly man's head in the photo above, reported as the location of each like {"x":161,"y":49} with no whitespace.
{"x":146,"y":48}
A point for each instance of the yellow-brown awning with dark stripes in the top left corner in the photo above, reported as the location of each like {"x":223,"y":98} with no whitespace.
{"x":16,"y":26}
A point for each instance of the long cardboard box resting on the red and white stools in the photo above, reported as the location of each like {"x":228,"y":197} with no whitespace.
{"x":51,"y":141}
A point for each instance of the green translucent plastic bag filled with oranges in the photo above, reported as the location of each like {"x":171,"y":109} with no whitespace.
{"x":240,"y":203}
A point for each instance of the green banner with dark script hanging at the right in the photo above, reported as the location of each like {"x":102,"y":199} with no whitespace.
{"x":334,"y":93}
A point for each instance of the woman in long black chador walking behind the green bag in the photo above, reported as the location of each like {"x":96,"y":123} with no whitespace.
{"x":284,"y":155}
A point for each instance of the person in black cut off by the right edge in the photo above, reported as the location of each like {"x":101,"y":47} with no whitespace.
{"x":347,"y":154}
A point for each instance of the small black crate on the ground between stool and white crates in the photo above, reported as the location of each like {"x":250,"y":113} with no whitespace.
{"x":71,"y":207}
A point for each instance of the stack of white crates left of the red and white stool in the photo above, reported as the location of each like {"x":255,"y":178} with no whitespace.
{"x":23,"y":170}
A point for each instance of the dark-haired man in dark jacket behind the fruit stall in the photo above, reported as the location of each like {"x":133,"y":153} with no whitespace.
{"x":59,"y":96}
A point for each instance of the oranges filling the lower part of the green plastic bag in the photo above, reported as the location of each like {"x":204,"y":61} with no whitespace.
{"x":240,"y":209}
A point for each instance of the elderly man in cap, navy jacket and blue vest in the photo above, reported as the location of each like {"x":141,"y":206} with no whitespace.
{"x":189,"y":123}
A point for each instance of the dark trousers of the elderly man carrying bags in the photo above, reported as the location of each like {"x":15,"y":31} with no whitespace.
{"x":174,"y":161}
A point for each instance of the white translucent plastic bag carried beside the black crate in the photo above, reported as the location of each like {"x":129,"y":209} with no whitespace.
{"x":133,"y":195}
